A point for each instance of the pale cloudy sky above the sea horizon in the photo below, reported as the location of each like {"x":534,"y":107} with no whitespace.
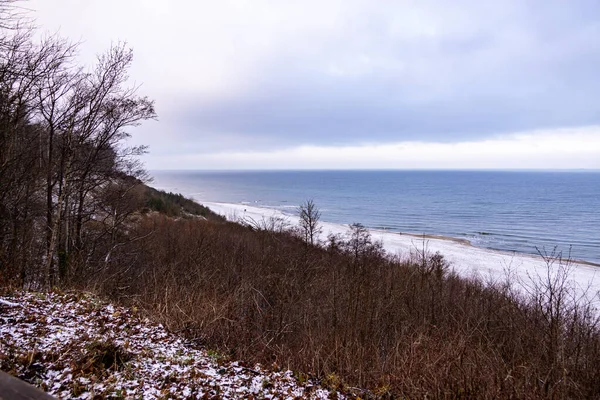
{"x":328,"y":84}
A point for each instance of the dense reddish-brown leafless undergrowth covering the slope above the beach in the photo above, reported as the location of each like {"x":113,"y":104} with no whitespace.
{"x":354,"y":317}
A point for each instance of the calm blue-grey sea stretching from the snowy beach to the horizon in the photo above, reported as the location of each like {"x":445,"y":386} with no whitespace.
{"x":511,"y":211}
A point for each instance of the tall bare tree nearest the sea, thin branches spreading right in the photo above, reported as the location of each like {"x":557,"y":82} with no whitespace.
{"x":89,"y":114}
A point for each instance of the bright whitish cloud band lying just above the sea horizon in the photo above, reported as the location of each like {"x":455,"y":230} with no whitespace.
{"x":554,"y":149}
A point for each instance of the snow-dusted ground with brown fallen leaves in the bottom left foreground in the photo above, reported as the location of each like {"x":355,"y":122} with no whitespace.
{"x":77,"y":347}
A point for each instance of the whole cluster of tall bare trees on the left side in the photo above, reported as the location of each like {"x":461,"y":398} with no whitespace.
{"x":67,"y":181}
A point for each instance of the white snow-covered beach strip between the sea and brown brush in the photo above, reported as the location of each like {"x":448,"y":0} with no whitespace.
{"x":465,"y":259}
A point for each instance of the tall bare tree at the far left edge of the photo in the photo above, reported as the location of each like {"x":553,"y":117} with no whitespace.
{"x":25,"y":67}
